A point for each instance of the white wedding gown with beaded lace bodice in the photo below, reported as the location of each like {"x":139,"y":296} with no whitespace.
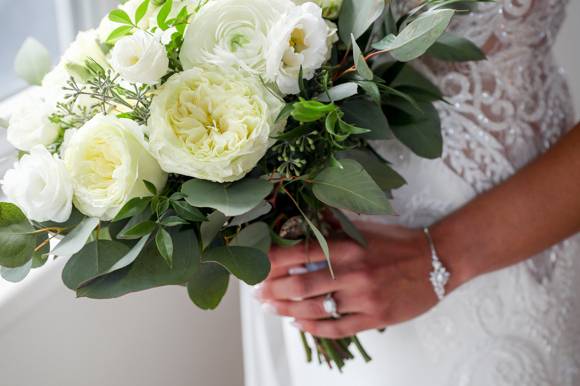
{"x":519,"y":326}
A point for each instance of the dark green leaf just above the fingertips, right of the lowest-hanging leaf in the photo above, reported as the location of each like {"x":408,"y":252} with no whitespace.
{"x":250,"y":265}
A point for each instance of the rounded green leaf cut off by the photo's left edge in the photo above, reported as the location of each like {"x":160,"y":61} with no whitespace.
{"x":17,"y":242}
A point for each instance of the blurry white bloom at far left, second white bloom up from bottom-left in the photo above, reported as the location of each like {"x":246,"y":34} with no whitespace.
{"x":29,"y":124}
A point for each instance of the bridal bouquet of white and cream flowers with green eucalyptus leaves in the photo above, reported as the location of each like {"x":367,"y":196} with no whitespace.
{"x":174,"y":144}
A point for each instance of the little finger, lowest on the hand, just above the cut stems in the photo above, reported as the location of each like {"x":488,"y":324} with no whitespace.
{"x":347,"y":326}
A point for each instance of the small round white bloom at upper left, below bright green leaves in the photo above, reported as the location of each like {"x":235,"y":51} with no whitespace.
{"x":140,"y":58}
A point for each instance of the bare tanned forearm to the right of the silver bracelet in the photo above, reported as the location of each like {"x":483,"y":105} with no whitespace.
{"x":533,"y":210}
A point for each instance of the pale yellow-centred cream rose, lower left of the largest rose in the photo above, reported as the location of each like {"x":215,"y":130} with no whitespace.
{"x":108,"y":161}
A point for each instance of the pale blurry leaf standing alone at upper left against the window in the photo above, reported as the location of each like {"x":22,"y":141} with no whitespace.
{"x":32,"y":62}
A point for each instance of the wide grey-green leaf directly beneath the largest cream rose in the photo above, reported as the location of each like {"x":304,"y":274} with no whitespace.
{"x":230,"y":199}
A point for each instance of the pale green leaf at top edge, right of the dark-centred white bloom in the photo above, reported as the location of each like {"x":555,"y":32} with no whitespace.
{"x":356,"y":16}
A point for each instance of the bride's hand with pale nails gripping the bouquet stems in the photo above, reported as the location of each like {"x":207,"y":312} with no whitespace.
{"x":375,"y":287}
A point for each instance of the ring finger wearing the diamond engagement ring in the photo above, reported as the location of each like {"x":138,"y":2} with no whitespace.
{"x":313,"y":309}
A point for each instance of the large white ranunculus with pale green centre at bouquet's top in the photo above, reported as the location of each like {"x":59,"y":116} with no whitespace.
{"x":226,"y":32}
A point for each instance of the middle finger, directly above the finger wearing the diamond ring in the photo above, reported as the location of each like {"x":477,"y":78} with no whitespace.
{"x":299,"y":286}
